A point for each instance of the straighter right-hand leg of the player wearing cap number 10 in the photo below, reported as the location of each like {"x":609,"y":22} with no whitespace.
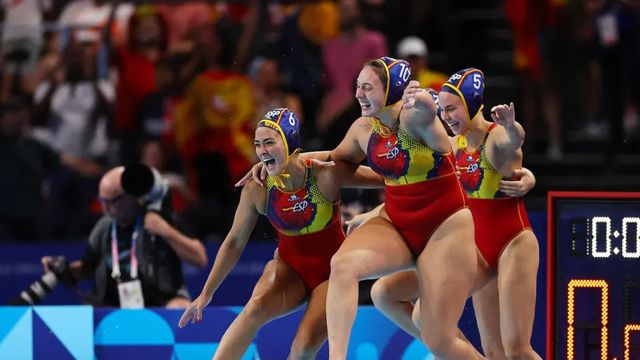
{"x":446,"y":271}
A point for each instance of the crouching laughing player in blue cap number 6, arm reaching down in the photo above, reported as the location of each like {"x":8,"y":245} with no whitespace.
{"x":302,"y":202}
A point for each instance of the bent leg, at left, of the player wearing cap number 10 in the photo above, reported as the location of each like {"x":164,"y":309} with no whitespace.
{"x":374,"y":250}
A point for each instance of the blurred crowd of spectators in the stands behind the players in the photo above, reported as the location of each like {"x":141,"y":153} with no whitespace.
{"x":90,"y":84}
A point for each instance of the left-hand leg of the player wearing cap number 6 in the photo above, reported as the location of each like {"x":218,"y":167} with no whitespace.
{"x":278,"y":292}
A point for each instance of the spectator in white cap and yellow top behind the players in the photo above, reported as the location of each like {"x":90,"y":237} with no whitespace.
{"x":415,"y":51}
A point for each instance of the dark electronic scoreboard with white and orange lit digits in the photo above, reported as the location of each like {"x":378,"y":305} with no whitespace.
{"x":593,"y":279}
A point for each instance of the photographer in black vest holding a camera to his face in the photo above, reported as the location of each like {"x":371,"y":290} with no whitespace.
{"x":147,"y":248}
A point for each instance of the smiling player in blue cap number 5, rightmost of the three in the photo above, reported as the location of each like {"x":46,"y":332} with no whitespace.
{"x":487,"y":153}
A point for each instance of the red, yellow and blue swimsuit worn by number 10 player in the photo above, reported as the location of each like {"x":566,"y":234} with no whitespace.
{"x":421,"y":188}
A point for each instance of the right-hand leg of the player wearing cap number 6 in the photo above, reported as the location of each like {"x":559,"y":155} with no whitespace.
{"x":312,"y":331}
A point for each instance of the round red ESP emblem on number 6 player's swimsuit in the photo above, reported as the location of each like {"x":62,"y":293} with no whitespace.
{"x":291,"y":211}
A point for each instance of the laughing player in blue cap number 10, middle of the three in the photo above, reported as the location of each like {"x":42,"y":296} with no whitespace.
{"x":424,"y":222}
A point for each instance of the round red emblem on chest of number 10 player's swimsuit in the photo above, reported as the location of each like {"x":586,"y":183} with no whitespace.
{"x":386,"y":157}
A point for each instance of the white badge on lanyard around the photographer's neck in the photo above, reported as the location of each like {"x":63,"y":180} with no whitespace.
{"x":129,"y":292}
